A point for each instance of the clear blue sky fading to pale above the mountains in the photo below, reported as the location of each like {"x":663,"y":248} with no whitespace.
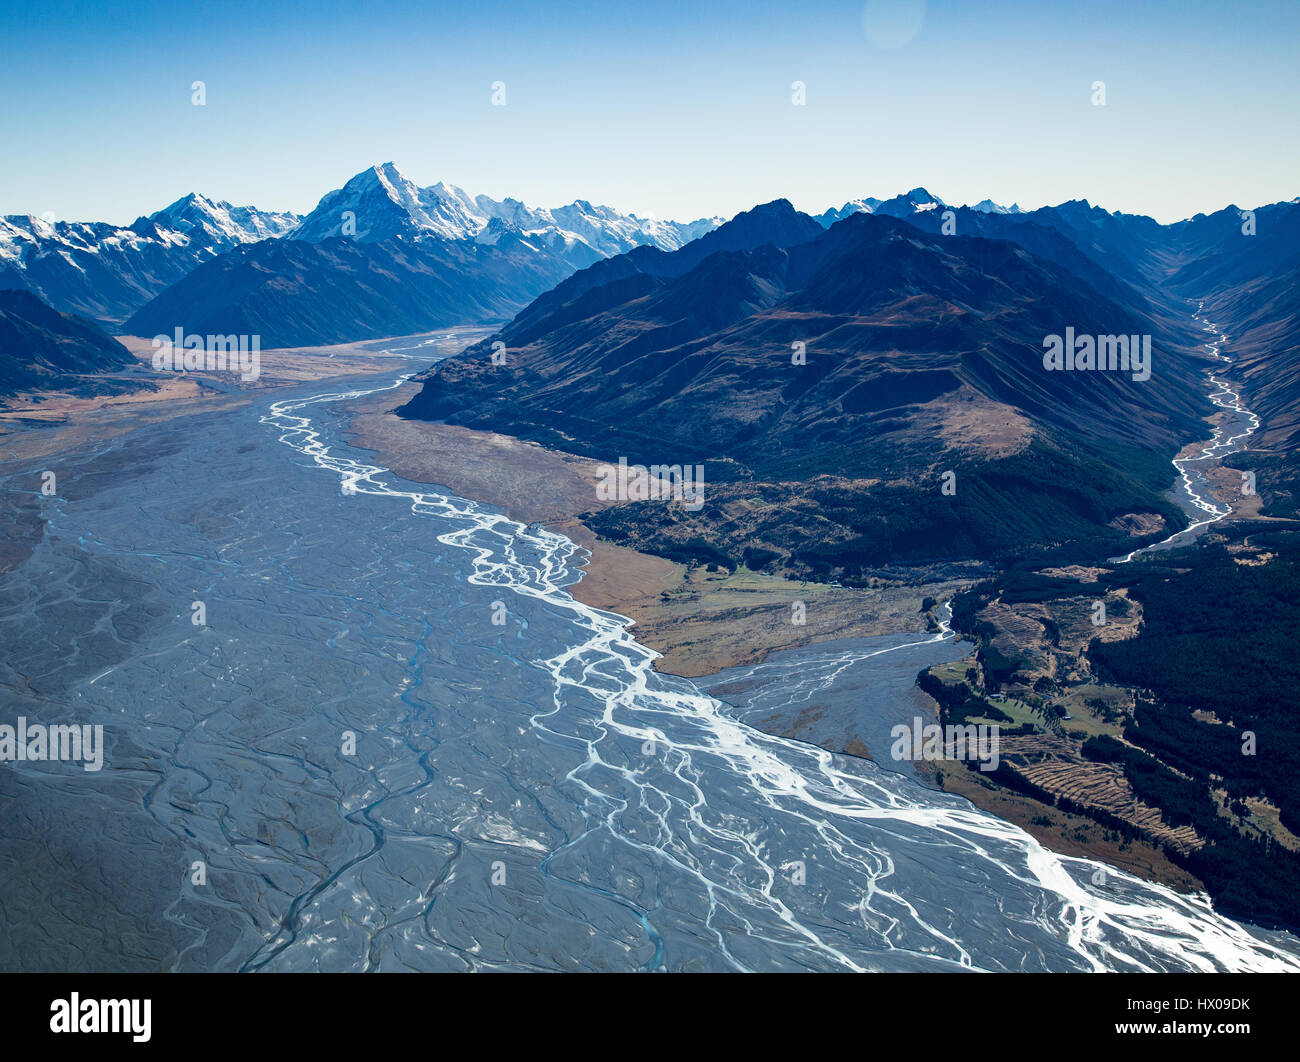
{"x":677,"y":110}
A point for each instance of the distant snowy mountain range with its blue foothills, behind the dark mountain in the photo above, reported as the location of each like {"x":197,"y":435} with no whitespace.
{"x":115,"y":274}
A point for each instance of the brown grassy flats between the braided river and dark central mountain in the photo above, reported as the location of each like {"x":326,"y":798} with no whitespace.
{"x":700,"y":622}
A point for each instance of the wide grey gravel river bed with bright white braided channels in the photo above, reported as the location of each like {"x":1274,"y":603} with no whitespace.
{"x":396,"y":743}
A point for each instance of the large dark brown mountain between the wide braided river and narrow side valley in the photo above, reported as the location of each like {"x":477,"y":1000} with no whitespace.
{"x":924,"y":354}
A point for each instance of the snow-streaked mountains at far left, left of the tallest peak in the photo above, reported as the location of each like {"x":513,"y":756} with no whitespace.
{"x":107,"y":271}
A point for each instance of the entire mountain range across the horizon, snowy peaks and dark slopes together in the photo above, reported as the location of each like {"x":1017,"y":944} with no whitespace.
{"x":922,"y":322}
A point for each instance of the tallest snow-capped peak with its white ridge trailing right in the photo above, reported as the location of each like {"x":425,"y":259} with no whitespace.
{"x":382,"y":202}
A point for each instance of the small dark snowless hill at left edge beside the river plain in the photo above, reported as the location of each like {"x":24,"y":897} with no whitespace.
{"x":41,"y":348}
